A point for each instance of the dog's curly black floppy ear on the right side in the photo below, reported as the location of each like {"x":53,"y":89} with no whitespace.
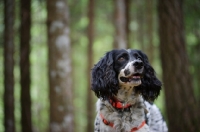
{"x":151,"y":86}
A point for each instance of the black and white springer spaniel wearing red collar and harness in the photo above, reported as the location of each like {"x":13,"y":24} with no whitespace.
{"x":126,"y":86}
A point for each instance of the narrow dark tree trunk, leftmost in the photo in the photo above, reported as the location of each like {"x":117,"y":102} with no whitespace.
{"x":9,"y":120}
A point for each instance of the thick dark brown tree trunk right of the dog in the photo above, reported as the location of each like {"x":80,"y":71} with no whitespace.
{"x":182,"y":109}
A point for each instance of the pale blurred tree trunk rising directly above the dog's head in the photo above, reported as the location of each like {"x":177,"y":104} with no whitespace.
{"x":120,"y":39}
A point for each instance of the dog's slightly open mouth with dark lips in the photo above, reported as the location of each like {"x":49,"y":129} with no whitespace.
{"x":133,"y":78}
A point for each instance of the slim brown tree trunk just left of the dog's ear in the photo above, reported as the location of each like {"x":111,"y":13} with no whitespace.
{"x":90,"y":107}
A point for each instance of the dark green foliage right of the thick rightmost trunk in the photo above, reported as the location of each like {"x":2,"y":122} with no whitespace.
{"x":192,"y":33}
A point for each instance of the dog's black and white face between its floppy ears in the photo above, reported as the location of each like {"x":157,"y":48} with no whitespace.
{"x":129,"y":67}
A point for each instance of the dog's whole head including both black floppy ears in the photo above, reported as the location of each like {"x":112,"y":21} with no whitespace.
{"x":127,"y":68}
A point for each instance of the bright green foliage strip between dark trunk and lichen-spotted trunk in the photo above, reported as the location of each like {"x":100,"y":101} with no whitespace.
{"x":39,"y":67}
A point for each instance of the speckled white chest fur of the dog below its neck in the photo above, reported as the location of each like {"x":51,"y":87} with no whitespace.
{"x":123,"y":119}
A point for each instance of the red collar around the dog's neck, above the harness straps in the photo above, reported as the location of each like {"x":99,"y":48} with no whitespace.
{"x":117,"y":104}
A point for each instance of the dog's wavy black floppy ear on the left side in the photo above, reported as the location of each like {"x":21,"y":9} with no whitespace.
{"x":104,"y":79}
